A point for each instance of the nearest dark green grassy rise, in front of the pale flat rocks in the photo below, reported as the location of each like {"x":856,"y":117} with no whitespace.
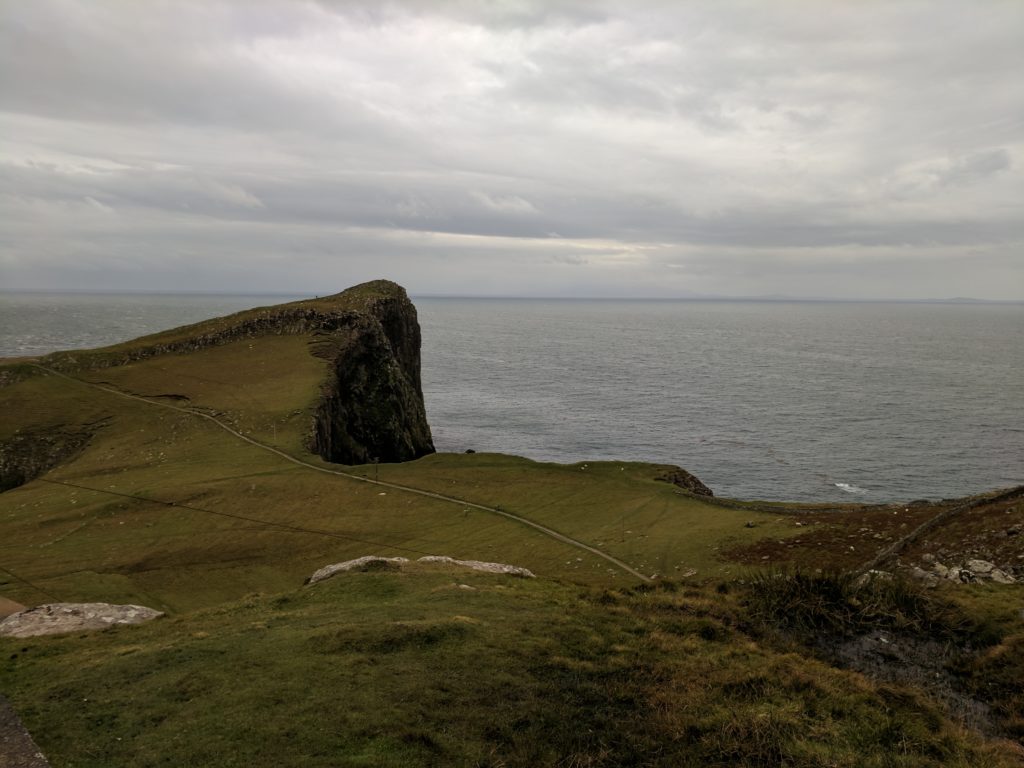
{"x":434,"y":667}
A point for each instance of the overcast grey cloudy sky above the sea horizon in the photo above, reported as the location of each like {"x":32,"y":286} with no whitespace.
{"x":621,"y":149}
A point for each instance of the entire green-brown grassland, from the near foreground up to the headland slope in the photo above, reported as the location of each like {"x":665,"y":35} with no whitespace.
{"x":195,"y":495}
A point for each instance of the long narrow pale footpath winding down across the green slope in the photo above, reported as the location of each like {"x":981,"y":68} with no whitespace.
{"x":396,"y":487}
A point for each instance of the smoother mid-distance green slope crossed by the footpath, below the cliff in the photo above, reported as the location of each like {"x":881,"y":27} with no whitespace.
{"x":107,"y":534}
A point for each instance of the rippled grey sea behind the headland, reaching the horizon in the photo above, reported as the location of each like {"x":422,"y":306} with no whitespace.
{"x":779,"y":401}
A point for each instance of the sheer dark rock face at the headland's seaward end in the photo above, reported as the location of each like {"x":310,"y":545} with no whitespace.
{"x":372,"y":405}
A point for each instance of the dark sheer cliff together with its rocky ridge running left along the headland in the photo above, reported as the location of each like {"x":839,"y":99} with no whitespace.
{"x":371,"y":404}
